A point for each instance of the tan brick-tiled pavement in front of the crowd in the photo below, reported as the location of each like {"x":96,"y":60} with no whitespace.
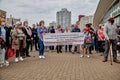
{"x":65,"y":66}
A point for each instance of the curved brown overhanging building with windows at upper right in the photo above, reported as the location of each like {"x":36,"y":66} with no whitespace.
{"x":111,"y":8}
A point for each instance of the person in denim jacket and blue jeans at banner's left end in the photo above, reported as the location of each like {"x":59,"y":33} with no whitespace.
{"x":41,"y":30}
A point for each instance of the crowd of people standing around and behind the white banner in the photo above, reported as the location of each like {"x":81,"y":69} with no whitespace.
{"x":21,"y":38}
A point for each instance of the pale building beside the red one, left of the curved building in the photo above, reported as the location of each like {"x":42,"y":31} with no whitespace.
{"x":85,"y":20}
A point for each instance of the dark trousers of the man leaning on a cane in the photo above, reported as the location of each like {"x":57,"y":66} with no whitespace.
{"x":107,"y":49}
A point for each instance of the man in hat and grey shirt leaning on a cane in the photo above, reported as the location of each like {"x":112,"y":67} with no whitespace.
{"x":110,"y":32}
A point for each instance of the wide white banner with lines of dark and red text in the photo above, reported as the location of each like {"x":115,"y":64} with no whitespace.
{"x":63,"y":38}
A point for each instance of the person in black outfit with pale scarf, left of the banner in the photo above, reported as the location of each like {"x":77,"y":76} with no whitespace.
{"x":28,"y":34}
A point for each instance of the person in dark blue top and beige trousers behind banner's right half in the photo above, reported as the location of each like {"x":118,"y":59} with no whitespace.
{"x":76,"y":48}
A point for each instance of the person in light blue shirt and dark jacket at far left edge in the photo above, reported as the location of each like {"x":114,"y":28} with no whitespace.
{"x":5,"y":34}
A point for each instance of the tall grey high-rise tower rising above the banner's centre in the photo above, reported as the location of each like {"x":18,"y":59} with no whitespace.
{"x":64,"y":18}
